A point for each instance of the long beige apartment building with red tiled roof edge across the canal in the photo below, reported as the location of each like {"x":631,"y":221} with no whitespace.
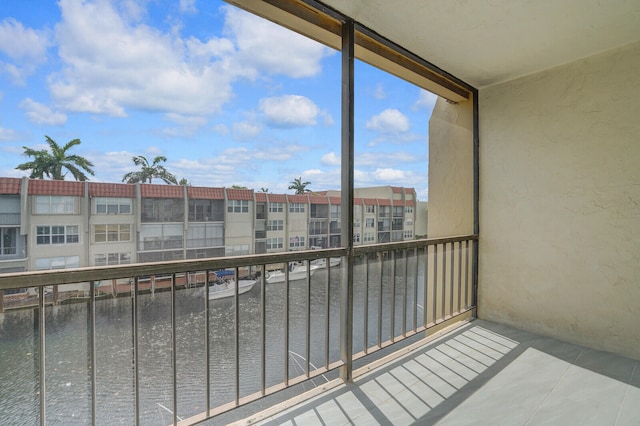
{"x":46,"y":224}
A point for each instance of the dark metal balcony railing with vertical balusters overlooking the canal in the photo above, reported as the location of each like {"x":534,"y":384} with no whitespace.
{"x":147,"y":344}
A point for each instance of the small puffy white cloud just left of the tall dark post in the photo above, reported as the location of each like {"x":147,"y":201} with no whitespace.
{"x":289,"y":111}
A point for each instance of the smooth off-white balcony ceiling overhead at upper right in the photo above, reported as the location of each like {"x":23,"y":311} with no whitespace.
{"x":485,"y":42}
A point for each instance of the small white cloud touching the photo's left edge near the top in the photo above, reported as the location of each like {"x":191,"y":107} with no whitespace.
{"x":25,"y":46}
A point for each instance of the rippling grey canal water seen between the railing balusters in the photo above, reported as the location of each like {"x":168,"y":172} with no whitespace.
{"x":68,"y":370}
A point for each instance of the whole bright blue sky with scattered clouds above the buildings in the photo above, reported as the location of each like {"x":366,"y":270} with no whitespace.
{"x":228,"y":98}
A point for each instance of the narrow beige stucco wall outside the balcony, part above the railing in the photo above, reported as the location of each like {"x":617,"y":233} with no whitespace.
{"x":450,"y":169}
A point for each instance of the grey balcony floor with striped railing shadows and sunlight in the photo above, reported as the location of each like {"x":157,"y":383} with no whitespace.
{"x":482,"y":374}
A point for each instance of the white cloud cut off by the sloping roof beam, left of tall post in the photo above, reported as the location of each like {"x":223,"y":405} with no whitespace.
{"x":274,"y":49}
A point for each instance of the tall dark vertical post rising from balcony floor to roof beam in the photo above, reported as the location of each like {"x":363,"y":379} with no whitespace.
{"x":346,"y":217}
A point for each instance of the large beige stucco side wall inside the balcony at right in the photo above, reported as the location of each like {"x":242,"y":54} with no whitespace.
{"x":560,"y":202}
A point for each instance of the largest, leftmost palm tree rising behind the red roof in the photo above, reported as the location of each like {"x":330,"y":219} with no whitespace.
{"x":50,"y":164}
